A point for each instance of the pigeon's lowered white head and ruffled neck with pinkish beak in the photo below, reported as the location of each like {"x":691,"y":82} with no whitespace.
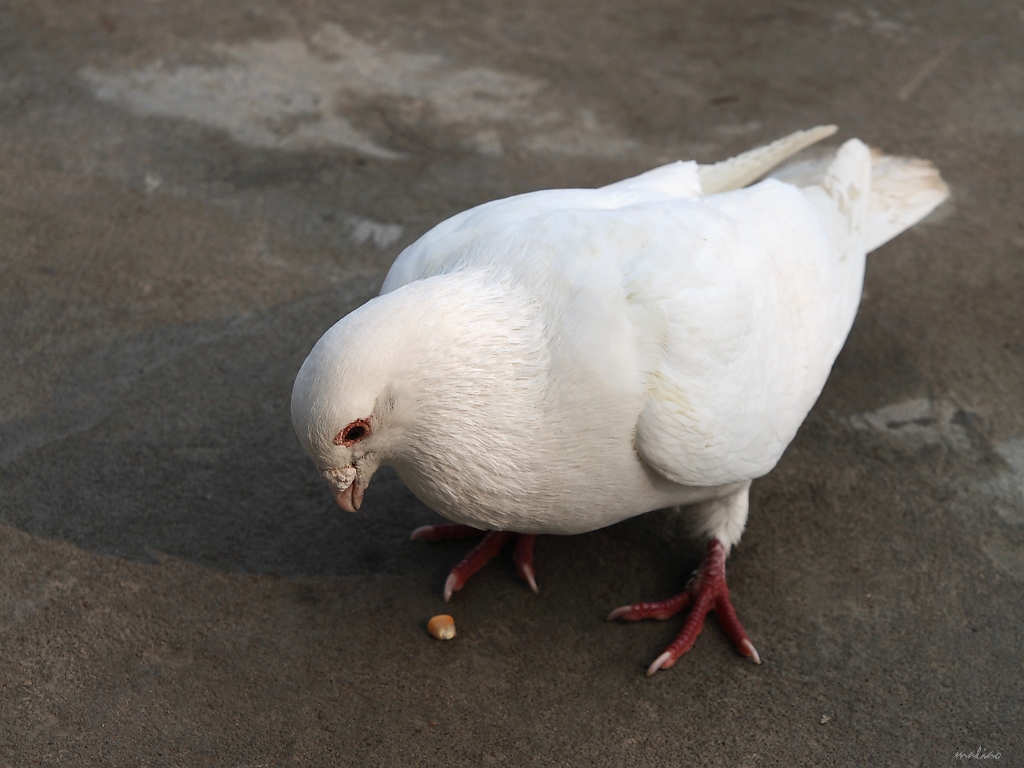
{"x":436,"y":379}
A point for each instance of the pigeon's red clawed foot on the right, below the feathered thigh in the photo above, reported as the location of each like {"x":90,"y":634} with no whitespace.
{"x":707,"y":592}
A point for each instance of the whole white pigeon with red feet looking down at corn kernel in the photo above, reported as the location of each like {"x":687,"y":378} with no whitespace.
{"x":561,"y":361}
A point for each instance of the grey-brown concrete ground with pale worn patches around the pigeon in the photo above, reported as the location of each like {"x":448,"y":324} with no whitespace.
{"x":192,"y":193}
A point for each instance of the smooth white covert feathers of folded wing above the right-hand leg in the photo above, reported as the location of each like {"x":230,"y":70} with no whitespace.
{"x":746,"y":342}
